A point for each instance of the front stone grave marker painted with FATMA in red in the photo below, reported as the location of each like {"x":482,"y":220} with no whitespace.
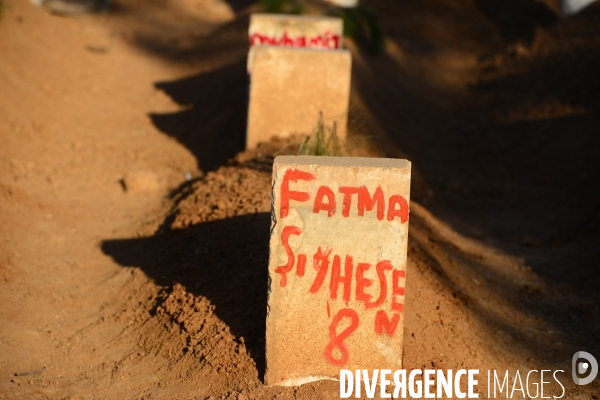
{"x":337,"y":266}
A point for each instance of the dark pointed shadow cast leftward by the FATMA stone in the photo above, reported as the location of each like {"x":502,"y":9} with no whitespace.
{"x":223,"y":261}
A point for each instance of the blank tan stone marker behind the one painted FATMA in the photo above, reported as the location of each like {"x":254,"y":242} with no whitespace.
{"x":289,"y":87}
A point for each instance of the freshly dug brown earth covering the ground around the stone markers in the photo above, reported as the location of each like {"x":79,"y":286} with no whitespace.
{"x":133,"y":254}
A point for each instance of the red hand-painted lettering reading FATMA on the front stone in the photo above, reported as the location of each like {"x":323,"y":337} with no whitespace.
{"x":348,"y":279}
